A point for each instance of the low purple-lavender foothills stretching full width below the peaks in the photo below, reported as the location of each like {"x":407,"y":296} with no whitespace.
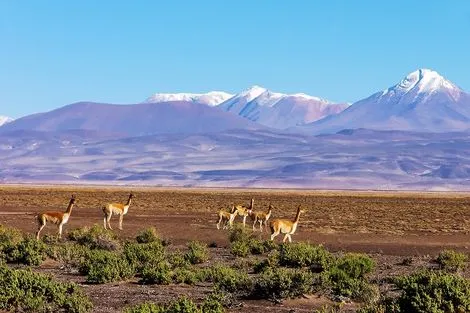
{"x":355,"y":159}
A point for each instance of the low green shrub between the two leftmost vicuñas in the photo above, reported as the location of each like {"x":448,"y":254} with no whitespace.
{"x":95,"y":237}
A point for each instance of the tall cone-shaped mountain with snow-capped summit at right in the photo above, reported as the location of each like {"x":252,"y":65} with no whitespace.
{"x":422,"y":101}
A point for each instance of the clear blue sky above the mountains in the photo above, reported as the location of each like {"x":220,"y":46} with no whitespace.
{"x":56,"y":52}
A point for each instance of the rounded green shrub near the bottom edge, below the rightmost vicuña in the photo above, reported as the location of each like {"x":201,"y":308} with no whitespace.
{"x":280,"y":283}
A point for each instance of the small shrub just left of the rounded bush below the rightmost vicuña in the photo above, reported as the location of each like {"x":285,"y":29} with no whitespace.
{"x":228,"y":279}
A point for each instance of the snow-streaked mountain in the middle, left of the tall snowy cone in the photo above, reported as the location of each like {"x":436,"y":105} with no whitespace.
{"x":277,"y":110}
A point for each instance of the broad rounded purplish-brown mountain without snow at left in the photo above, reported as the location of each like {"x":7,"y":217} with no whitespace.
{"x":133,"y":120}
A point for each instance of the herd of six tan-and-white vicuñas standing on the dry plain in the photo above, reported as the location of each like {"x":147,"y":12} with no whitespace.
{"x":225,"y":218}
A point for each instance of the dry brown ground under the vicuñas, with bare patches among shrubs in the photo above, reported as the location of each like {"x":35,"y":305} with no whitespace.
{"x":387,"y":225}
